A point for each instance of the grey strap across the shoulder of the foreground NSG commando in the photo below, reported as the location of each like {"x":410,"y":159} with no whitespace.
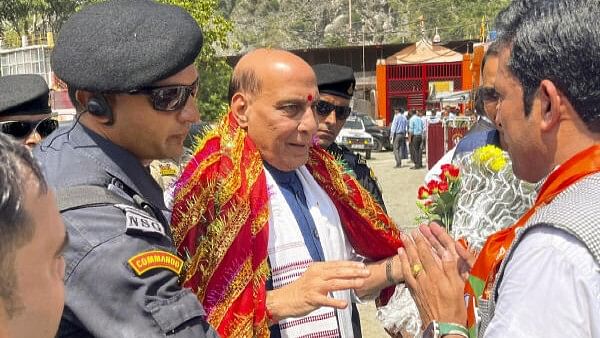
{"x":81,"y":196}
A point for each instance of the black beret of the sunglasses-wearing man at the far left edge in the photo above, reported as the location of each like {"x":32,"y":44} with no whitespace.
{"x":23,"y":95}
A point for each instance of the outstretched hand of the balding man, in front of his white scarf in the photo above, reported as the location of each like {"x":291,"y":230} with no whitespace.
{"x":313,"y":289}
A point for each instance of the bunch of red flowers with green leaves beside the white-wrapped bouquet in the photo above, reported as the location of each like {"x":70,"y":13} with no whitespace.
{"x":437,"y":197}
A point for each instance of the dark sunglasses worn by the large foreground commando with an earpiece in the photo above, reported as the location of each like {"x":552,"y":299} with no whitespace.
{"x":168,"y":98}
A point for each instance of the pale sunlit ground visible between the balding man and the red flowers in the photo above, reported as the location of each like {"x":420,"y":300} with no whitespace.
{"x":399,"y":187}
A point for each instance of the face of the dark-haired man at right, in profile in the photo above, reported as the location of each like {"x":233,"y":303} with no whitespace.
{"x":521,"y":134}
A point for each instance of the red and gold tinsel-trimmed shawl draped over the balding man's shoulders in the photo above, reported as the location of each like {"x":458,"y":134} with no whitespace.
{"x":220,"y":226}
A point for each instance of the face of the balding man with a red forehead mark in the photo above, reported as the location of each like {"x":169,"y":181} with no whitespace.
{"x":281,"y":119}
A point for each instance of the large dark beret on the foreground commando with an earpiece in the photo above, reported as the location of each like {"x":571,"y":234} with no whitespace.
{"x":121,"y":45}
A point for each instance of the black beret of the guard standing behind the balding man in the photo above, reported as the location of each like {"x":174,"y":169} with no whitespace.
{"x":335,"y":79}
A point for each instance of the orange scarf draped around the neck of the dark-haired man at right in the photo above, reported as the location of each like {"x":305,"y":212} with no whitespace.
{"x":487,"y":265}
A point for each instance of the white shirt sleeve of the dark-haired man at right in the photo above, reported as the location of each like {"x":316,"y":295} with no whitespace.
{"x":550,"y":288}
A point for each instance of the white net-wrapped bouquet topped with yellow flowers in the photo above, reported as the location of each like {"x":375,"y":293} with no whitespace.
{"x":490,"y":197}
